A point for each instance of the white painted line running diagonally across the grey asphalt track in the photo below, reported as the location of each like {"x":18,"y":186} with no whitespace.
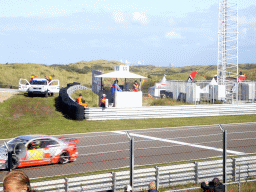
{"x":179,"y":142}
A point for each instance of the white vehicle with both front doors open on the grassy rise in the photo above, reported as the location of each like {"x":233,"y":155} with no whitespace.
{"x":39,"y":86}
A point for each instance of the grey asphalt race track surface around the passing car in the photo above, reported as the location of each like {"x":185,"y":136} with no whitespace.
{"x":110,"y":150}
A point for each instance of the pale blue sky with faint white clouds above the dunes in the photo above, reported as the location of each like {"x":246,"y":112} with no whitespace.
{"x":161,"y":33}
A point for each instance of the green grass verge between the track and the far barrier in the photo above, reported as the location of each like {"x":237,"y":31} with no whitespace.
{"x":22,"y":115}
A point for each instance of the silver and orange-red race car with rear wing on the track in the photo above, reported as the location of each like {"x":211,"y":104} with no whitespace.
{"x":32,"y":150}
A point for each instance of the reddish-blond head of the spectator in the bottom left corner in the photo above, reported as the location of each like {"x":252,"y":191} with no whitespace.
{"x":16,"y":181}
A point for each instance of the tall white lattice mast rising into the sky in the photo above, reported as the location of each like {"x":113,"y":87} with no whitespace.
{"x":227,"y":67}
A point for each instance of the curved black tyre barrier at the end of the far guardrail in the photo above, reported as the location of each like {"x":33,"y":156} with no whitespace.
{"x":68,"y":106}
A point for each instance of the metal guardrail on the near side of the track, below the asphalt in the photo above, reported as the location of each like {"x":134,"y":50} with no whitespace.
{"x":164,"y":176}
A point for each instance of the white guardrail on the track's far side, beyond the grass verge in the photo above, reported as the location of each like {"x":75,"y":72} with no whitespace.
{"x":169,"y":111}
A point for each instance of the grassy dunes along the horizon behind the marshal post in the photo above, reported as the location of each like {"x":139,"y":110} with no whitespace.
{"x":81,"y":72}
